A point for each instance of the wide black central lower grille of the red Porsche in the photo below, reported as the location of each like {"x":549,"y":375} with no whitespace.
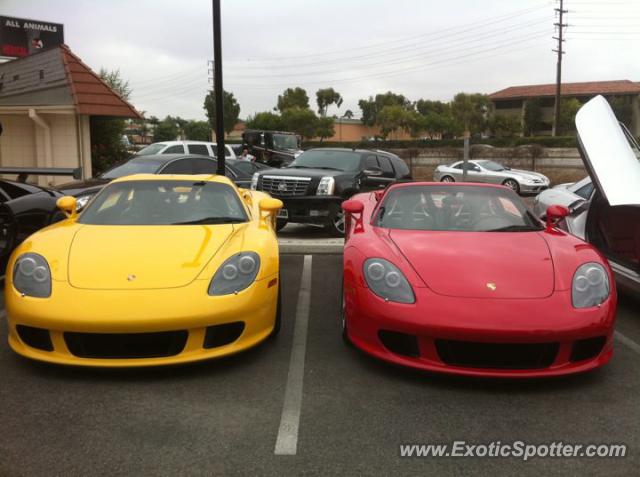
{"x":497,"y":355}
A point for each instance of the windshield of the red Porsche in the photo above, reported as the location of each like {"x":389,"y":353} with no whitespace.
{"x":455,"y":208}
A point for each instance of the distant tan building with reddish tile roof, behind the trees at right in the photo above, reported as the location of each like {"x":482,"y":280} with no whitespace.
{"x":513,"y":100}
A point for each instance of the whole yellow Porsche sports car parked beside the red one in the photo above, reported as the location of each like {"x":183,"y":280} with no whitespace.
{"x":156,"y":270}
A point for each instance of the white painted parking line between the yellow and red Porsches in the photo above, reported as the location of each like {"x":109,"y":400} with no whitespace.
{"x":287,"y":441}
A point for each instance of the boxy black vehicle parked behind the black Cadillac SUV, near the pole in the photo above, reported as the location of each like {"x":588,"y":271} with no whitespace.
{"x":275,"y":148}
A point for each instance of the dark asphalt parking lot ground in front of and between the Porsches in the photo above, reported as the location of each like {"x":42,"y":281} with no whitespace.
{"x":344,"y":413}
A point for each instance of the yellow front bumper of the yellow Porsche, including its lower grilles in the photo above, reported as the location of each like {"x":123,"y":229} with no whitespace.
{"x":82,"y":324}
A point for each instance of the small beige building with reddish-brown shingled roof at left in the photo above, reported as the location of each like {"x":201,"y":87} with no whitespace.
{"x":46,"y":100}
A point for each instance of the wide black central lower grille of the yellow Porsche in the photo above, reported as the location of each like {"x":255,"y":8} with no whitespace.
{"x":126,"y":345}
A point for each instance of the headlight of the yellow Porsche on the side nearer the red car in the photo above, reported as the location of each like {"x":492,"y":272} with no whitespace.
{"x":236,"y":273}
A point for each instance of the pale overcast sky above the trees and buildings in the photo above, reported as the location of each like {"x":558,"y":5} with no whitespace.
{"x":420,"y":48}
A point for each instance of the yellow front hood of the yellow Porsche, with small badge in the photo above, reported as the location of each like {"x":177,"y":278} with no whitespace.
{"x":142,"y":257}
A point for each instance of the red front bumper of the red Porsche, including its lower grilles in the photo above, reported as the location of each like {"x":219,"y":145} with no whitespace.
{"x":480,"y":337}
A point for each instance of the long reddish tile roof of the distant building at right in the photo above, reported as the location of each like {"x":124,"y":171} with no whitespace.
{"x":568,"y":89}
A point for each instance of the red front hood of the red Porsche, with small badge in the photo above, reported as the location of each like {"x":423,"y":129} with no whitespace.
{"x":480,"y":264}
